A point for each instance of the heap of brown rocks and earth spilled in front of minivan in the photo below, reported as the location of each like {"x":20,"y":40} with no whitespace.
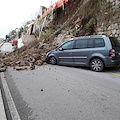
{"x":26,"y":57}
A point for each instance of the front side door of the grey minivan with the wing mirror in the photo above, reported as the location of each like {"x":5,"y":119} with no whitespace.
{"x":65,"y":53}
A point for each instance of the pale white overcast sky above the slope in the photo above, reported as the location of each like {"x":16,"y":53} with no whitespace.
{"x":15,"y":13}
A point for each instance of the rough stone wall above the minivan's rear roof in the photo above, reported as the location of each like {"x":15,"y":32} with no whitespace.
{"x":111,"y":27}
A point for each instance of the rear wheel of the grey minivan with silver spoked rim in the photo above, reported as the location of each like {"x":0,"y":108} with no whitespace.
{"x":97,"y":65}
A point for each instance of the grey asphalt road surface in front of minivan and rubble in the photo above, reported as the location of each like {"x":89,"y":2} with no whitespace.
{"x":65,"y":93}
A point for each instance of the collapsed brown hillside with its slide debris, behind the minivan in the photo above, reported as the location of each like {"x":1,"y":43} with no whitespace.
{"x":76,"y":18}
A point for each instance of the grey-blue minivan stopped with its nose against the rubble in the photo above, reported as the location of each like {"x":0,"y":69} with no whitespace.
{"x":95,"y":51}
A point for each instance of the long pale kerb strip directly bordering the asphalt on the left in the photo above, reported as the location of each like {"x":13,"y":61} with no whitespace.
{"x":11,"y":105}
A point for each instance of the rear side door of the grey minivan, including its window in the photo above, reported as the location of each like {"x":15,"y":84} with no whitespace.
{"x":83,"y":49}
